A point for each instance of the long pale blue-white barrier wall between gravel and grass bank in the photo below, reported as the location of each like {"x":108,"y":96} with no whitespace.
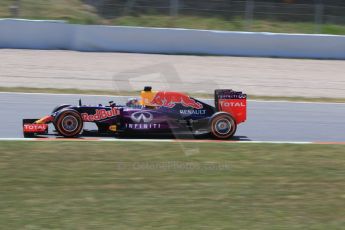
{"x":54,"y":35}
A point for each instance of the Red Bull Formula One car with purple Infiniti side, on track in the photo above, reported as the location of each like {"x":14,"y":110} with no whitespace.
{"x":157,"y":112}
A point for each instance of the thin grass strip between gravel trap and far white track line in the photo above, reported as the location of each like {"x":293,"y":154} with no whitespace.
{"x":137,"y":93}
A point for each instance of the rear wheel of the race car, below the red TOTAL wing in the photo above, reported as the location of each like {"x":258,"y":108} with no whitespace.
{"x":222,"y":126}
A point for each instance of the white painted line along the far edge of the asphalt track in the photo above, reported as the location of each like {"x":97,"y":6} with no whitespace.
{"x":117,"y":96}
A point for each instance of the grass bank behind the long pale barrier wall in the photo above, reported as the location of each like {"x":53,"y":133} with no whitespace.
{"x":74,"y":11}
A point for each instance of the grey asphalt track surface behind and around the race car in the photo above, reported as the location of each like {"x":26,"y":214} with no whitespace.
{"x":266,"y":121}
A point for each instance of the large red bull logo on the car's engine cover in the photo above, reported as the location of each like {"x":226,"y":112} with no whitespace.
{"x":170,"y":99}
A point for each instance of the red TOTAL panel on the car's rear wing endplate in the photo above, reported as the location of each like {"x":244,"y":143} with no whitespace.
{"x":236,"y":107}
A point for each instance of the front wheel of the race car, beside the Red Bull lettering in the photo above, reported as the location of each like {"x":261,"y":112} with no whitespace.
{"x":68,"y":123}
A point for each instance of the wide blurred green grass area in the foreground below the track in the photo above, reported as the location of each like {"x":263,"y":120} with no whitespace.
{"x":92,"y":185}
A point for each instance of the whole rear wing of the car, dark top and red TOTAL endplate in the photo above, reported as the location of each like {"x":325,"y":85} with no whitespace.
{"x":232,"y":102}
